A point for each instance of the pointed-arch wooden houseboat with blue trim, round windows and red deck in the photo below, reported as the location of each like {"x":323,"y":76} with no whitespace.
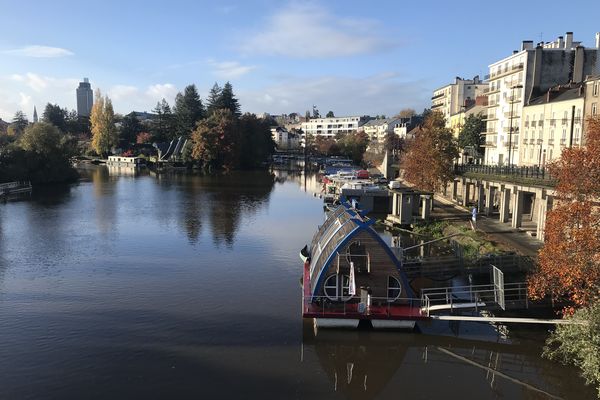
{"x":351,"y":275}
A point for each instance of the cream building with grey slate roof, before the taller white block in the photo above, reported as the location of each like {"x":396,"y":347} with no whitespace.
{"x":551,"y":122}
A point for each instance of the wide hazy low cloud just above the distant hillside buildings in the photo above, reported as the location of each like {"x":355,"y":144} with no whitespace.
{"x":382,"y":93}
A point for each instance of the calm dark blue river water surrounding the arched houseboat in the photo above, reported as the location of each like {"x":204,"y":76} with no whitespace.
{"x":179,"y":286}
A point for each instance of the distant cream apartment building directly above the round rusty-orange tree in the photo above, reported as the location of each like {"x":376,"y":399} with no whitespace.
{"x":450,"y":99}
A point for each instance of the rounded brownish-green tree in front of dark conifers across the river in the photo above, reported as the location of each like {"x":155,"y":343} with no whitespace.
{"x":215,"y":141}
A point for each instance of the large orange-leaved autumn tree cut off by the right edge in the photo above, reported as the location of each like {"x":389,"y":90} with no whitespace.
{"x":569,"y":262}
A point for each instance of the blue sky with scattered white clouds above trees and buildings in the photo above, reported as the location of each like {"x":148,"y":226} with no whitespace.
{"x":351,"y":57}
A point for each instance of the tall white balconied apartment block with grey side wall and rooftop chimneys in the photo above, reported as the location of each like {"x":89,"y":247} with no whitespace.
{"x":523,"y":76}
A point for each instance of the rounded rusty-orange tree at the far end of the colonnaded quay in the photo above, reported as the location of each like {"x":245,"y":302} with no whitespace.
{"x":433,"y":144}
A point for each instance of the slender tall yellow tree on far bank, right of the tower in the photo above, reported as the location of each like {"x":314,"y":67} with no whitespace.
{"x":104,"y":132}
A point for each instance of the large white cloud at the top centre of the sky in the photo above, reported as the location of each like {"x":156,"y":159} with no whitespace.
{"x":307,"y":31}
